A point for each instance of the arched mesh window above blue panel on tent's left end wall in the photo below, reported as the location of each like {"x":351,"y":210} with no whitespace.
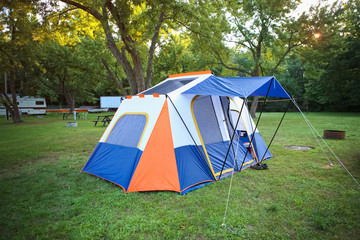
{"x":127,"y":130}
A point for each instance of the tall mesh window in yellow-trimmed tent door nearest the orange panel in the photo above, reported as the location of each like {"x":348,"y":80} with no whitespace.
{"x":206,"y":120}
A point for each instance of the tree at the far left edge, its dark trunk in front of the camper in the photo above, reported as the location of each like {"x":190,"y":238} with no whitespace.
{"x":18,"y":22}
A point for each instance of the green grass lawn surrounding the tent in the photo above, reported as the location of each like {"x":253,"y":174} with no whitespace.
{"x":44,"y":195}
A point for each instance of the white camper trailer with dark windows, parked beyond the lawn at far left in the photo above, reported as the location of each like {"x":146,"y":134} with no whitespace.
{"x":28,"y":105}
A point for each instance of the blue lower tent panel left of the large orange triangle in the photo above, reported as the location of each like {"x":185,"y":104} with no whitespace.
{"x":114,"y":163}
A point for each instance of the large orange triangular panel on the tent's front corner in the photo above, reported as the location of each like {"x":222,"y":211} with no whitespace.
{"x":157,"y":169}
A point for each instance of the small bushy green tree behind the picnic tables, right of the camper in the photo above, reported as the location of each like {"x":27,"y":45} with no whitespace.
{"x":70,"y":71}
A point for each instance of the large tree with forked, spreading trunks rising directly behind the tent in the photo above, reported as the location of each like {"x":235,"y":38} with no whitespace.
{"x":138,"y":26}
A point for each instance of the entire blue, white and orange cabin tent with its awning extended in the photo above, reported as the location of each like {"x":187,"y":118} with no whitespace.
{"x":187,"y":131}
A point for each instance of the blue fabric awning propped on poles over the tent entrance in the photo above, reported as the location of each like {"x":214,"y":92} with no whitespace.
{"x":238,"y":86}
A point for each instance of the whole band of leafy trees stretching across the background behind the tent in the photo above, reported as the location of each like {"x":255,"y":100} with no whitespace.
{"x":72,"y":52}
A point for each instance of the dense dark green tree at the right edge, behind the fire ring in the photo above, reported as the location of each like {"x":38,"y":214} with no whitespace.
{"x":332,"y":60}
